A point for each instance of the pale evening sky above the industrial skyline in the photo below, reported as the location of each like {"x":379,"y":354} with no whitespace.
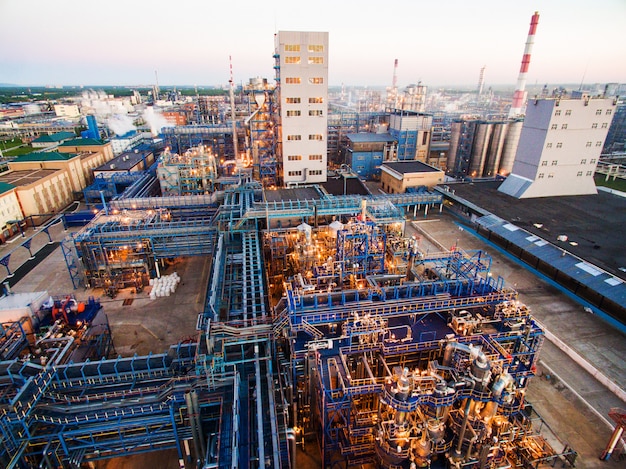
{"x":445,"y":42}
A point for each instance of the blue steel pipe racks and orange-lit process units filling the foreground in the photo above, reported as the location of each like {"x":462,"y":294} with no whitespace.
{"x":426,"y":365}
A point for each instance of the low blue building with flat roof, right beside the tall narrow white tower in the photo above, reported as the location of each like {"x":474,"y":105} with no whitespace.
{"x":365,"y":152}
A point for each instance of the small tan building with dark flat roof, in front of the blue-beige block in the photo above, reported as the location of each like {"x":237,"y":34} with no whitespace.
{"x":397,"y":177}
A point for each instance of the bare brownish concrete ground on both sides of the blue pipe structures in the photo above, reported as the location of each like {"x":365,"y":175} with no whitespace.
{"x":571,"y":400}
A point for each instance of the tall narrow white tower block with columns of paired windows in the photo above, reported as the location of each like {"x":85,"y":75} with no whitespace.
{"x":302,"y":58}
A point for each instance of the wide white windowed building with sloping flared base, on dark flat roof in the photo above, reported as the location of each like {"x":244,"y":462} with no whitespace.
{"x":559,"y":147}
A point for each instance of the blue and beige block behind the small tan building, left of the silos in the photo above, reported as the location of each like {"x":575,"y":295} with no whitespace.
{"x":412,"y":131}
